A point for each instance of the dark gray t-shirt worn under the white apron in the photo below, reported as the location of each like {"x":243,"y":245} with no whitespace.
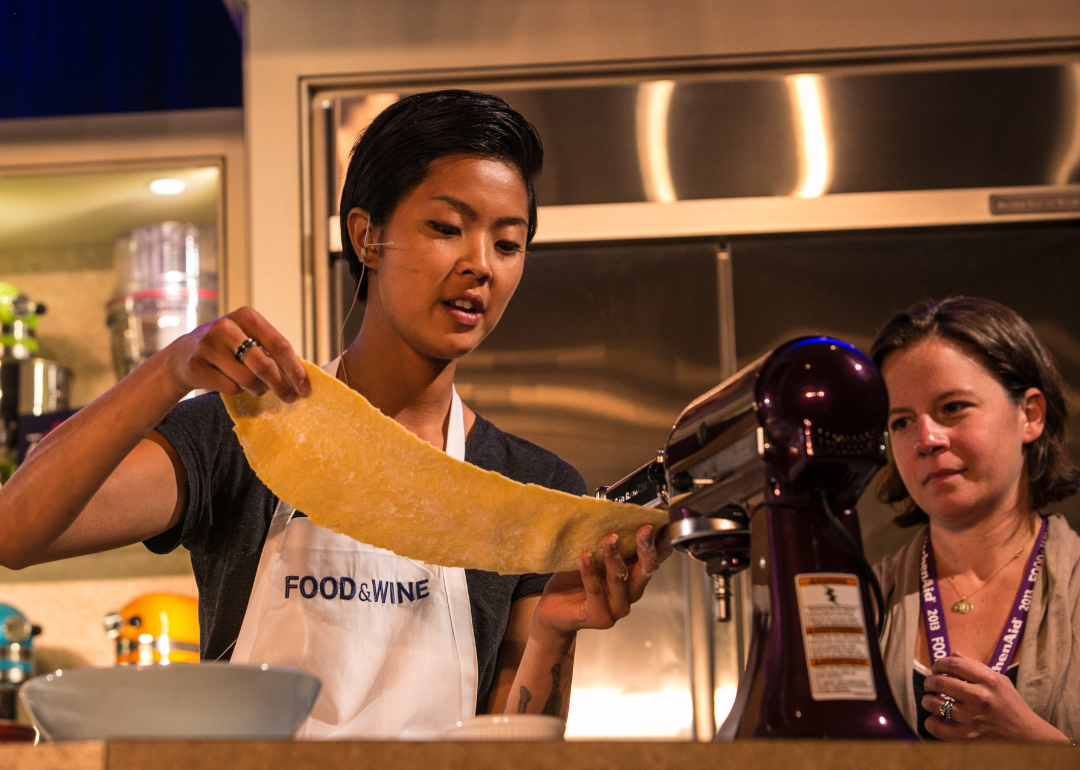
{"x":229,"y":512}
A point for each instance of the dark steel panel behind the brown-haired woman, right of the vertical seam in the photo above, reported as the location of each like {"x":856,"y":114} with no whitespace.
{"x":849,"y":285}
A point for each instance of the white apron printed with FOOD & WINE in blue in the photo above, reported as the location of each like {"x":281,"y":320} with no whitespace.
{"x":391,"y":639}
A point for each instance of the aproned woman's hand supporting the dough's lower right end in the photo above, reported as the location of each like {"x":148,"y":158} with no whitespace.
{"x":597,"y":597}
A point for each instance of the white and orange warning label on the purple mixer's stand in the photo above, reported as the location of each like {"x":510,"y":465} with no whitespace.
{"x":834,"y":638}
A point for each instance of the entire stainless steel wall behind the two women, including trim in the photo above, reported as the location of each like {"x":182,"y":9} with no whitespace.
{"x":605,"y":345}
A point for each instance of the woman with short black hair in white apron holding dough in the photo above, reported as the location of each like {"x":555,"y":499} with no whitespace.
{"x":437,"y":213}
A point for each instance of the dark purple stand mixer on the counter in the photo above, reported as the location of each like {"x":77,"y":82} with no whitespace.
{"x":763,"y":472}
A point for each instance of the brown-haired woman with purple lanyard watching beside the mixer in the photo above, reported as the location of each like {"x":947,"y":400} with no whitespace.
{"x":982,"y":636}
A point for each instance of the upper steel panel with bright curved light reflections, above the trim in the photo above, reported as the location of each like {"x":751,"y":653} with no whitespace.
{"x":758,"y":136}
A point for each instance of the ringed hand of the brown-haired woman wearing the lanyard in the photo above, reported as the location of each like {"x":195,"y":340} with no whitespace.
{"x":987,"y":706}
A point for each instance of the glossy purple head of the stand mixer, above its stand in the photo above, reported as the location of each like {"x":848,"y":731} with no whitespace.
{"x":807,"y":420}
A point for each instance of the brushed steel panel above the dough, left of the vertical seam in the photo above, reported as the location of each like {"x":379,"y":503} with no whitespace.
{"x":600,"y":350}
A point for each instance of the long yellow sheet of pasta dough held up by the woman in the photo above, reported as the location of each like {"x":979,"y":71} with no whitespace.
{"x":352,"y":469}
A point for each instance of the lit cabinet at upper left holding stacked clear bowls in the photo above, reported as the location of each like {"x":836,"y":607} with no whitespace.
{"x":118,"y":234}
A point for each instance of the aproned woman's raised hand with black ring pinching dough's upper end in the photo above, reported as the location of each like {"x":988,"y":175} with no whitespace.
{"x":206,"y":359}
